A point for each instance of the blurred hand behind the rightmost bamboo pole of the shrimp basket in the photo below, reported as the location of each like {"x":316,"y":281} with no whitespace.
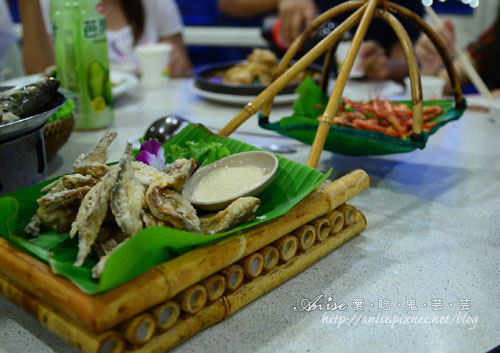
{"x":427,"y":55}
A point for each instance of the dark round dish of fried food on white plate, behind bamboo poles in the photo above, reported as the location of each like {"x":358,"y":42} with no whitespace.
{"x":240,"y":81}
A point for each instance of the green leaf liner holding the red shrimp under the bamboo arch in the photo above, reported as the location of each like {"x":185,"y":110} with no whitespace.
{"x":302,"y":126}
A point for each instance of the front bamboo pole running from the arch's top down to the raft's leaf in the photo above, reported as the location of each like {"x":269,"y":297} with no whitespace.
{"x":326,"y":119}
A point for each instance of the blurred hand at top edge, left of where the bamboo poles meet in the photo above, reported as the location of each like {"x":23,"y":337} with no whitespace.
{"x":295,"y":15}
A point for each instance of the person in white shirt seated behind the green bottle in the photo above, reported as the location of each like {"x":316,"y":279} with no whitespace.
{"x":129,"y":23}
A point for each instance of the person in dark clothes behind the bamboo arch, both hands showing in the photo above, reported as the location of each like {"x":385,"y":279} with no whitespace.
{"x":381,"y":54}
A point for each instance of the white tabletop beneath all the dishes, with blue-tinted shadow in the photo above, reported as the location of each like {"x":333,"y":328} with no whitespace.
{"x":424,"y":276}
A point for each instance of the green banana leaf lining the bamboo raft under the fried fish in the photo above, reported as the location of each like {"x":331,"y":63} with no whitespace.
{"x":151,"y":246}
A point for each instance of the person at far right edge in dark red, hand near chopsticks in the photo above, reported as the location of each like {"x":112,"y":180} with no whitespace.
{"x":484,"y":53}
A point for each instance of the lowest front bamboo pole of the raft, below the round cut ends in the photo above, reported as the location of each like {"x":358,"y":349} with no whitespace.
{"x":219,"y":310}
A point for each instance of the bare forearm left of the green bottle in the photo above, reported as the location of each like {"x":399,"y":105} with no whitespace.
{"x":38,"y":51}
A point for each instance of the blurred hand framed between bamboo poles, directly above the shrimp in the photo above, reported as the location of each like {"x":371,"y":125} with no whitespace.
{"x":373,"y":60}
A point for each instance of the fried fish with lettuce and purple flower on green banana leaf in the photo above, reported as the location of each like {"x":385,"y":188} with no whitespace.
{"x":140,"y":237}
